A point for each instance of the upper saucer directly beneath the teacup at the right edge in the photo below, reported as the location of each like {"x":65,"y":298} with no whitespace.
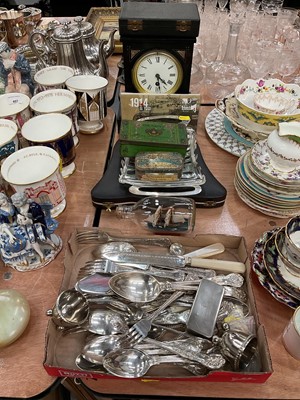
{"x":289,"y":283}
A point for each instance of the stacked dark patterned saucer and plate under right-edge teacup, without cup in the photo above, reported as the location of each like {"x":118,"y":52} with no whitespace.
{"x":271,"y":271}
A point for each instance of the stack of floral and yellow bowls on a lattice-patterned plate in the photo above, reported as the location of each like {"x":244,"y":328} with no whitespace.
{"x":251,"y":113}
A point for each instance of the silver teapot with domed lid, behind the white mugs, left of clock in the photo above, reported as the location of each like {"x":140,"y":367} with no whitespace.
{"x":63,"y":44}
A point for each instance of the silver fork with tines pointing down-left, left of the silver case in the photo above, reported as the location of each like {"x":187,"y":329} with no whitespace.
{"x":140,"y":329}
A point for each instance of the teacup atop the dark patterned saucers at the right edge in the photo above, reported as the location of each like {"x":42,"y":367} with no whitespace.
{"x":292,"y":240}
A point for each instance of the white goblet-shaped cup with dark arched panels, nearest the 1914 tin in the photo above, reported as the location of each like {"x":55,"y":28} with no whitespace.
{"x":90,"y":91}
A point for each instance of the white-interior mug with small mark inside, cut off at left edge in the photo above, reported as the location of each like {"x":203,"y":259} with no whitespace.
{"x":15,"y":107}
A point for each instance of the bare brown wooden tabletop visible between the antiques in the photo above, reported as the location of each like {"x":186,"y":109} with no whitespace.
{"x":22,"y":374}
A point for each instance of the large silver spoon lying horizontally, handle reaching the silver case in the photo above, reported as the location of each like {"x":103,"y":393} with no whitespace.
{"x":143,"y":288}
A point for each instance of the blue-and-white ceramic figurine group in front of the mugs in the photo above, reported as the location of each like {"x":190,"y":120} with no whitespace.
{"x":27,"y":239}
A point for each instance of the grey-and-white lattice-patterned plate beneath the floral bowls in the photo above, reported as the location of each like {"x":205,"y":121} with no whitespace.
{"x":228,"y":140}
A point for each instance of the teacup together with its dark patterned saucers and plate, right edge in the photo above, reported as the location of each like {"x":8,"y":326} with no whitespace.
{"x":276,"y":262}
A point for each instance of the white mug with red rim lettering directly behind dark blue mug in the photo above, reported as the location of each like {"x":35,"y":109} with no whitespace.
{"x":57,"y":101}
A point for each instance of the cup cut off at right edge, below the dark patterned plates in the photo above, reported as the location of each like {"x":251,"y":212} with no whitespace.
{"x":291,"y":335}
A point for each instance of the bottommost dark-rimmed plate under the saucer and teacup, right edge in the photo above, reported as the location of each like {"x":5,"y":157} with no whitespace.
{"x":263,"y":276}
